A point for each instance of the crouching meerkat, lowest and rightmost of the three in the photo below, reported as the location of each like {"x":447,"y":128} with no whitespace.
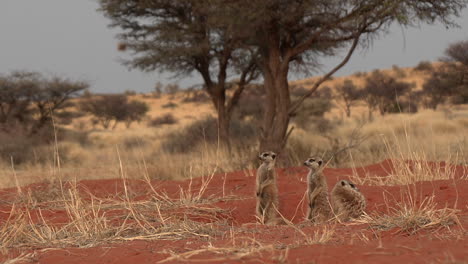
{"x":347,"y":201}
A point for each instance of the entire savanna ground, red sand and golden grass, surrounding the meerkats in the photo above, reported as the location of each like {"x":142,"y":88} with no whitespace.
{"x":152,"y":194}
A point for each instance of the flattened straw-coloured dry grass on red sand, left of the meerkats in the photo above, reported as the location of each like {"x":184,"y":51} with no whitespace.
{"x":89,"y":224}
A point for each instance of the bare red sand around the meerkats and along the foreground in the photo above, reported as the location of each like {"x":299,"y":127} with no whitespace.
{"x":346,"y":246}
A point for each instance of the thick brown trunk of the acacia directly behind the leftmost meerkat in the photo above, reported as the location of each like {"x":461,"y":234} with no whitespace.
{"x":276,"y":117}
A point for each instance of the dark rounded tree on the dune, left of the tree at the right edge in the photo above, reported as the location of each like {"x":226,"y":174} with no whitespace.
{"x":382,"y":91}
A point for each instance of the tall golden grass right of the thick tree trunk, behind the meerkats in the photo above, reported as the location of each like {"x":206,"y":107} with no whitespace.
{"x":398,"y":137}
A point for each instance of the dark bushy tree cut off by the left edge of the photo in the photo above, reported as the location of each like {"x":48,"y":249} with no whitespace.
{"x":32,"y":100}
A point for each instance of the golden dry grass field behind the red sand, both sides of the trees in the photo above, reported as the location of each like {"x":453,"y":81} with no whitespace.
{"x":428,"y":135}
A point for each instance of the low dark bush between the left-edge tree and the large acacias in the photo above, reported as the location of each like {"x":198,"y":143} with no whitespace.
{"x":111,"y":109}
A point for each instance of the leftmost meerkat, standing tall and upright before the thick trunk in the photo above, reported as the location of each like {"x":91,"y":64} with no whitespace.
{"x":267,"y":189}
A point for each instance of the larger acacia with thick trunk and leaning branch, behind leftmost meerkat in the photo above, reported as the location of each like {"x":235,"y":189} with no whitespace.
{"x":297,"y":32}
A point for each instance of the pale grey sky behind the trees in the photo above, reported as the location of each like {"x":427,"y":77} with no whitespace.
{"x":70,"y":38}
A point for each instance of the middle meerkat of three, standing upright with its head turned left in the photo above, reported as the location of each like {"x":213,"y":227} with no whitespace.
{"x":317,"y":192}
